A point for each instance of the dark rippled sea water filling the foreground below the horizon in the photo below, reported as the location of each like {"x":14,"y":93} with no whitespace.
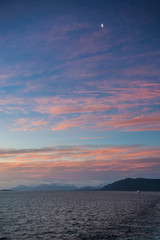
{"x":79,"y":215}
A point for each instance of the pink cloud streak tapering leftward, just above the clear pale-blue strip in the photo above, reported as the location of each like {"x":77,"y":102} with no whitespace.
{"x":124,"y":122}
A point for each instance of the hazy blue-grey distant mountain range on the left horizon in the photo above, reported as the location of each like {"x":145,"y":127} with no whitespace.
{"x":45,"y":187}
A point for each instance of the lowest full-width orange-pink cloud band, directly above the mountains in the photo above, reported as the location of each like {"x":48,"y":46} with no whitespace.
{"x":78,"y":162}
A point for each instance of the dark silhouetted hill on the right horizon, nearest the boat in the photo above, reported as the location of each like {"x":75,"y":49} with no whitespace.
{"x":130,"y":184}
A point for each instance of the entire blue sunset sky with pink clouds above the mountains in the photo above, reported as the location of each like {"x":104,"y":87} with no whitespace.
{"x":79,"y":103}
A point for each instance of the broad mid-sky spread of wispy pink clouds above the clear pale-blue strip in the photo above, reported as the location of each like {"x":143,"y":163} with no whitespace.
{"x":132,"y":106}
